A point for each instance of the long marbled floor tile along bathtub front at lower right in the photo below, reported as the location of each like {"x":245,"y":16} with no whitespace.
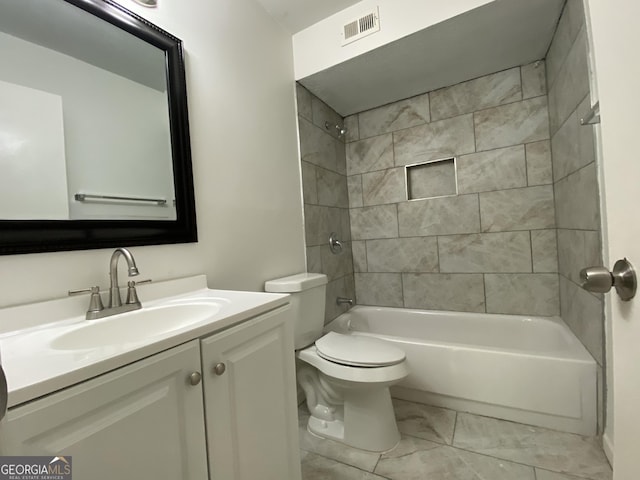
{"x":547,"y":449}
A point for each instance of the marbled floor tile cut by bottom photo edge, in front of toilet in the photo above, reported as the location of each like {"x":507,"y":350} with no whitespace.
{"x":446,"y":463}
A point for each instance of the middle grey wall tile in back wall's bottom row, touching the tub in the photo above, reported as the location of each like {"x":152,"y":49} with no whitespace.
{"x":444,"y":291}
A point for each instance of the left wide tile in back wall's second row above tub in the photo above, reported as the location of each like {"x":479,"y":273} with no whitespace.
{"x":418,"y":254}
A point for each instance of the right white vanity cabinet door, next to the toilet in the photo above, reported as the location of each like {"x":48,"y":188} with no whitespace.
{"x":250,"y":400}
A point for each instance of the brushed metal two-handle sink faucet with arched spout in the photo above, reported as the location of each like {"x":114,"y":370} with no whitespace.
{"x":96,"y":309}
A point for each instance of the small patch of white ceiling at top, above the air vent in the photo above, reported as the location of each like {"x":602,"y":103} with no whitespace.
{"x":296,"y":15}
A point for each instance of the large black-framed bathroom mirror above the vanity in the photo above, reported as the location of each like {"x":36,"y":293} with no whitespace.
{"x":94,"y":133}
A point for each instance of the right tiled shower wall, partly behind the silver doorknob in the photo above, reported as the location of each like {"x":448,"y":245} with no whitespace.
{"x":575,"y":177}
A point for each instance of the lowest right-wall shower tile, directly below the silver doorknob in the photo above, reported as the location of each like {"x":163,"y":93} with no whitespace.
{"x":583,"y":312}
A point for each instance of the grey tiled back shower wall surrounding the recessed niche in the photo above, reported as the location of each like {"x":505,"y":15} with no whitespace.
{"x":492,"y":247}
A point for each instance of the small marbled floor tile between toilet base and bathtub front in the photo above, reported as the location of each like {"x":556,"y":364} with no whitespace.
{"x":423,"y":421}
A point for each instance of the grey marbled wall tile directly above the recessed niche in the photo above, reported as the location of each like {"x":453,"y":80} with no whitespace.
{"x":434,"y":140}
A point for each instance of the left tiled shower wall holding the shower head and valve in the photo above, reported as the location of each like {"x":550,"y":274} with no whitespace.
{"x":326,"y":203}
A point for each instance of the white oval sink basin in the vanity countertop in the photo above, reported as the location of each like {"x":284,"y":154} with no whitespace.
{"x":135,"y":326}
